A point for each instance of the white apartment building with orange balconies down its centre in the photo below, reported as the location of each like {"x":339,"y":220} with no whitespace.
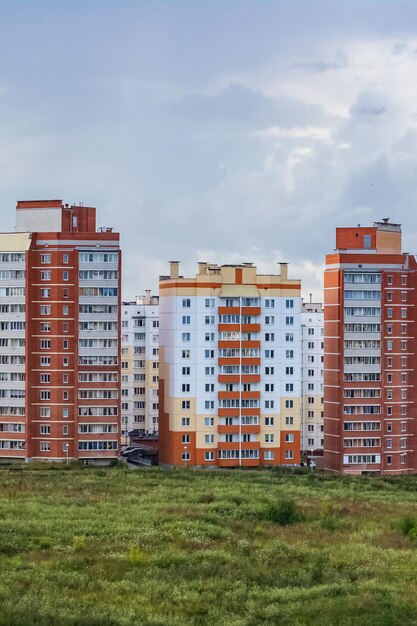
{"x":229,"y":385}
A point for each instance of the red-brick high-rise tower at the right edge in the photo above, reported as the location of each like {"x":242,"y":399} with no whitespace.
{"x":370,"y":353}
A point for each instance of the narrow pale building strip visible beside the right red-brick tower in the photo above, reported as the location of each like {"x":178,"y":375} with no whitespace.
{"x":312,"y":407}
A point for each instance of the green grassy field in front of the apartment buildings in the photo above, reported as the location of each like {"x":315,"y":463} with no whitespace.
{"x":152,"y":547}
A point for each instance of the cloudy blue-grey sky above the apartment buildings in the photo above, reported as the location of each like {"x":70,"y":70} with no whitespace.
{"x":224,"y":131}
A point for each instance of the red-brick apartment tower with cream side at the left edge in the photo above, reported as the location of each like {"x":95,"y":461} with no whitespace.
{"x":59,"y":335}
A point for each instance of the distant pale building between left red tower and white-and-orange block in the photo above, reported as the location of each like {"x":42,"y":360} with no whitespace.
{"x":140,"y":365}
